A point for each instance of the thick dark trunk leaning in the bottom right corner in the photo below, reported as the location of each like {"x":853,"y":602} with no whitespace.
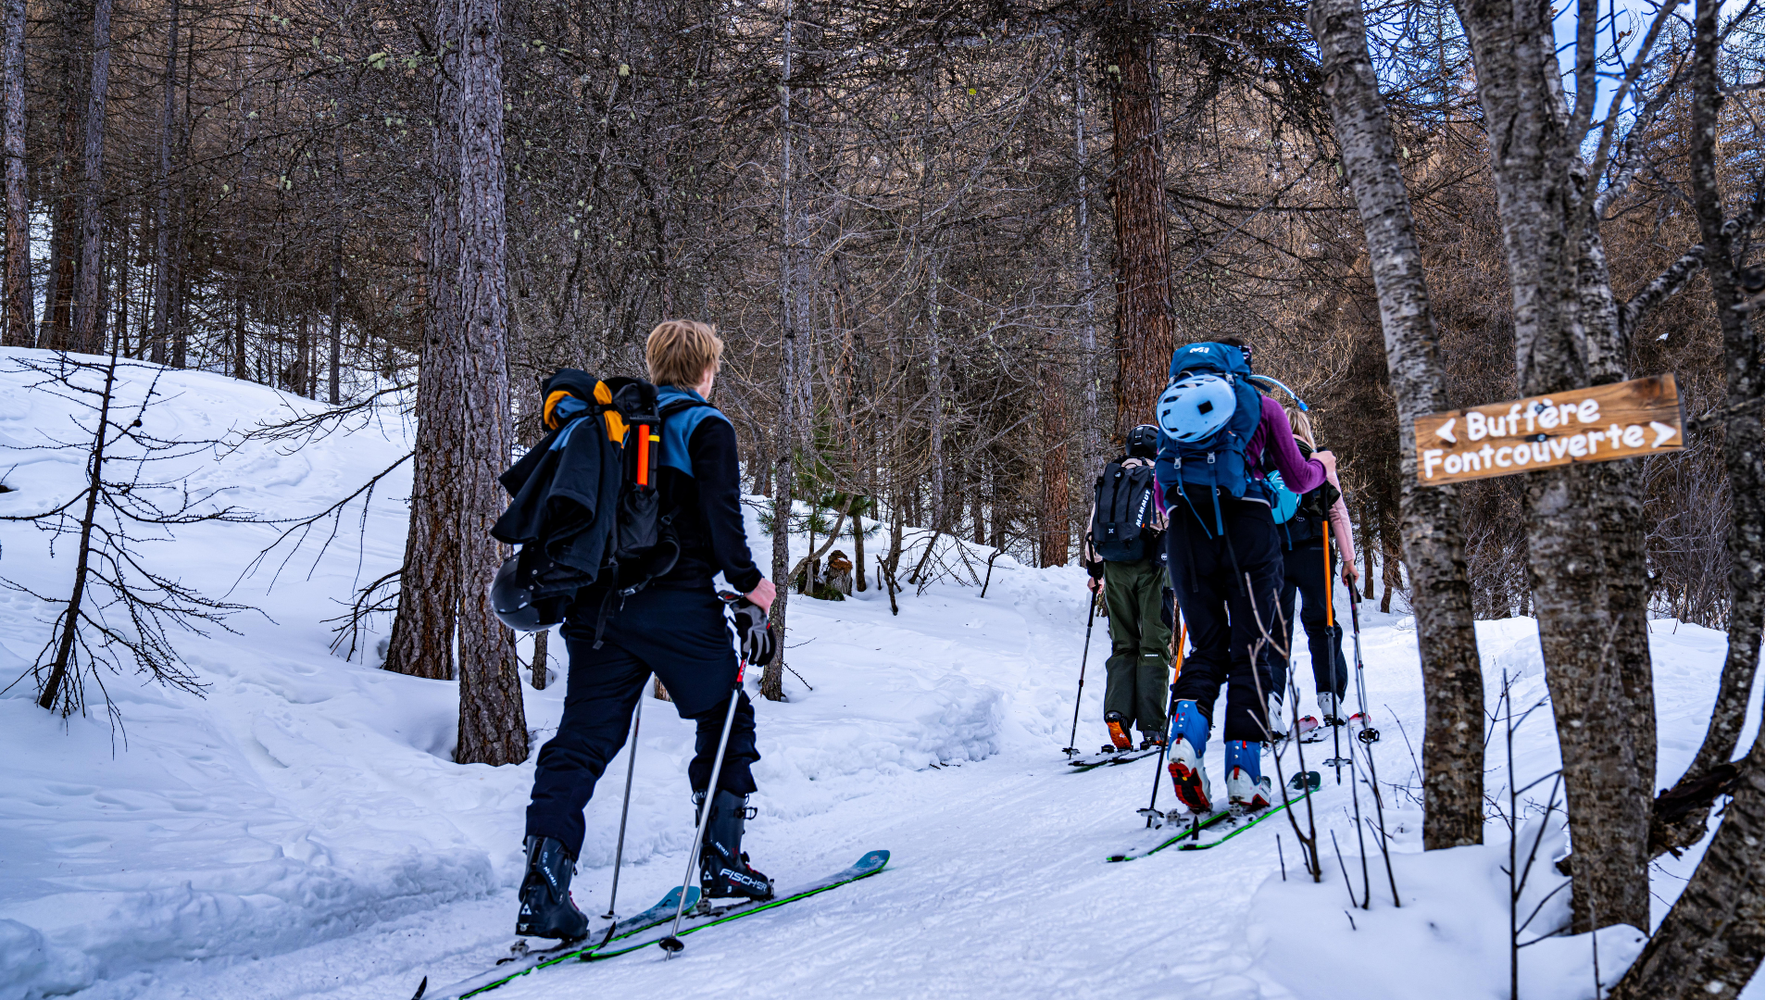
{"x":1715,"y":939}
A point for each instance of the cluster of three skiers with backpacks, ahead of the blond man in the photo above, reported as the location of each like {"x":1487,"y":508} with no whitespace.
{"x":1224,"y":512}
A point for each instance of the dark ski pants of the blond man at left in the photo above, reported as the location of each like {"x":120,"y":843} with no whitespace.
{"x":682,"y":638}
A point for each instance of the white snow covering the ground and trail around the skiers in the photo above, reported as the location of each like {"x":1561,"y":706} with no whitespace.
{"x":301,"y":832}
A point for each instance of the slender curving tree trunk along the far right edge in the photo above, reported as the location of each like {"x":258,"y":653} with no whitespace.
{"x":1745,"y":382}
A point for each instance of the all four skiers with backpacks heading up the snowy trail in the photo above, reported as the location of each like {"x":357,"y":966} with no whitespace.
{"x":630,"y":504}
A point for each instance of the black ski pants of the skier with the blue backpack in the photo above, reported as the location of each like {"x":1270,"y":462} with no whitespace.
{"x":1228,"y":625}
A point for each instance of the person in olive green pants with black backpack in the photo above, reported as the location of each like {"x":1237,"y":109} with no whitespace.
{"x":1126,"y":563}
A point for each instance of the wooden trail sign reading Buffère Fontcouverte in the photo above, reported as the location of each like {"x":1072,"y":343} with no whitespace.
{"x":1599,"y":424}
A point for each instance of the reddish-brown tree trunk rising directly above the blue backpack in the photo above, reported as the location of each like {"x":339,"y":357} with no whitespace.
{"x":1139,"y":213}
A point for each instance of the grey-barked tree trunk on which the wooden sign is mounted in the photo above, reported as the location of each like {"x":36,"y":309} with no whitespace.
{"x":1590,"y":597}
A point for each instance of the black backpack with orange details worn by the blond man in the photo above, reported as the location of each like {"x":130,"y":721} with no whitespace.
{"x":595,"y":524}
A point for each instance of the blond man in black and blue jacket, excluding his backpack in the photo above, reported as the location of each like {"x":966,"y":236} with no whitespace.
{"x":677,"y":631}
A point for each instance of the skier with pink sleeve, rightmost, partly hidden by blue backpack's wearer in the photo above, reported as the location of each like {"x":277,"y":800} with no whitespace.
{"x":1306,"y":574}
